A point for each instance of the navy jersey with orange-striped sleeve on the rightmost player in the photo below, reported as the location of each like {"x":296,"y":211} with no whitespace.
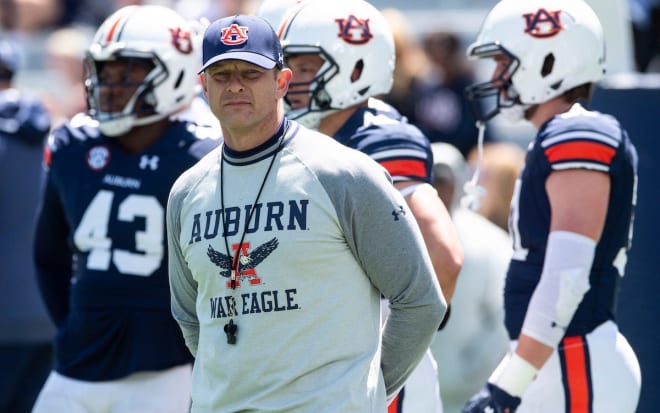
{"x":577,"y":139}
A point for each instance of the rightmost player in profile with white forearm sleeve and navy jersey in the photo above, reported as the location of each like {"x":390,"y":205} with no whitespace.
{"x":571,"y":214}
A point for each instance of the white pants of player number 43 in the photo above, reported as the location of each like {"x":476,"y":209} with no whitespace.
{"x":166,"y":391}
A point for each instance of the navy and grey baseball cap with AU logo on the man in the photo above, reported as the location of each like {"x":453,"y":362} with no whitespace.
{"x":242,"y":37}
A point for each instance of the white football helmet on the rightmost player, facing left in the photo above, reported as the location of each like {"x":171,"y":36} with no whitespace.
{"x":554,"y":45}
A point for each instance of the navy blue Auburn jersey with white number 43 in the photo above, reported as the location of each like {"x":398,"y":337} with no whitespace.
{"x":101,"y":249}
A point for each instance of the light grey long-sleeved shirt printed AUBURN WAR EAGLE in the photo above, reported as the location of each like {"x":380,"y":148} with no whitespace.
{"x":315,"y":258}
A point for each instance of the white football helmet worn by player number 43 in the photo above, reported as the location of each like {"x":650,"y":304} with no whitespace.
{"x":167,"y":42}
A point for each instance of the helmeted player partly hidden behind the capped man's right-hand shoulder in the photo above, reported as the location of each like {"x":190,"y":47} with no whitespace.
{"x":342,"y":56}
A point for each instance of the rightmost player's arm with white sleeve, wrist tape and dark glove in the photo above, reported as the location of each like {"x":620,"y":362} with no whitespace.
{"x":578,"y":200}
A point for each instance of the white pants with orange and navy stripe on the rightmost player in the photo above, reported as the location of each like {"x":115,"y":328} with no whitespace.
{"x":600,"y":375}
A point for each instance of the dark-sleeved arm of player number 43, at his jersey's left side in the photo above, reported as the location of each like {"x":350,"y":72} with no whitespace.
{"x":52,"y":255}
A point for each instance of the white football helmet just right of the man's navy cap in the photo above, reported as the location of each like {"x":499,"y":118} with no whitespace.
{"x":348,"y":35}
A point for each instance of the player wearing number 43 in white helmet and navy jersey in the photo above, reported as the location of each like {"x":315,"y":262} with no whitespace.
{"x":100,"y":243}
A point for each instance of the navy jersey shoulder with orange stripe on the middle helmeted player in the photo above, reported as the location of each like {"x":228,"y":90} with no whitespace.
{"x":379,"y":131}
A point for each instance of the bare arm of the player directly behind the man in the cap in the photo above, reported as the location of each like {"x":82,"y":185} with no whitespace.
{"x":438,"y":231}
